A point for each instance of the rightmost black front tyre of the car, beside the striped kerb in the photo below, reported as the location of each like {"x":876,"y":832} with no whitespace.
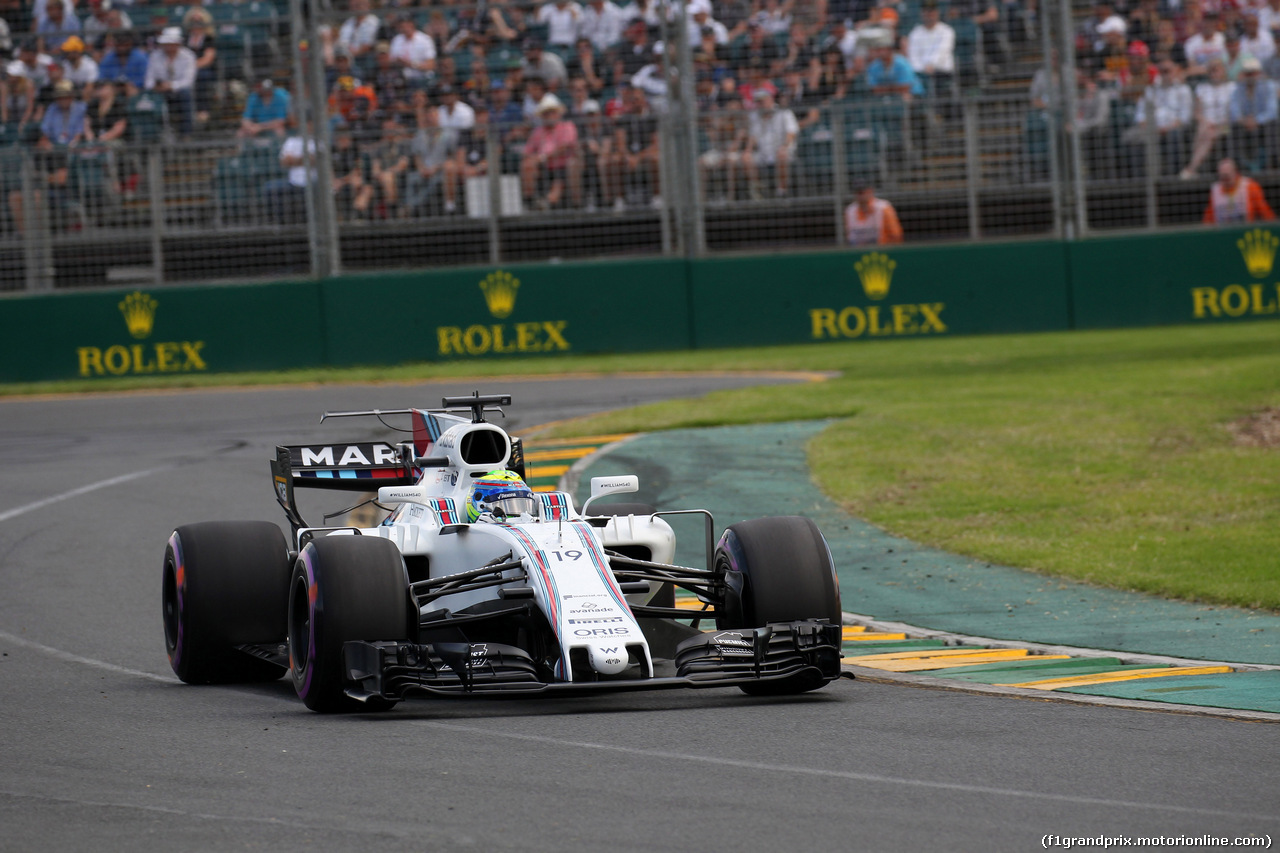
{"x":778,"y":571}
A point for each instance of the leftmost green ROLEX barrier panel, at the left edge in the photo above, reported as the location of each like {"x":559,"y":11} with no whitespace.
{"x":161,"y":331}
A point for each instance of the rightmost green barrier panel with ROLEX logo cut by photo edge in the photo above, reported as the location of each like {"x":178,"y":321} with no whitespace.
{"x":1190,"y":277}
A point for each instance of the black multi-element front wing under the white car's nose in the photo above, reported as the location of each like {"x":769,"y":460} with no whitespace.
{"x":394,"y":670}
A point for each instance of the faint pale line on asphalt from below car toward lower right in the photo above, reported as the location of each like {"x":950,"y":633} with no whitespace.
{"x":845,"y":774}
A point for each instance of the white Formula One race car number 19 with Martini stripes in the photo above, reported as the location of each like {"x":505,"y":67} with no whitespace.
{"x":477,"y":585}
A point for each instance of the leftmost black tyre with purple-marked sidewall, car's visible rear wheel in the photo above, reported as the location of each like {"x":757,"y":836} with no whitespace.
{"x":225,"y":585}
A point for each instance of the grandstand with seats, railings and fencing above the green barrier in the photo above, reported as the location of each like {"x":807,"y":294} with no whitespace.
{"x":424,"y":117}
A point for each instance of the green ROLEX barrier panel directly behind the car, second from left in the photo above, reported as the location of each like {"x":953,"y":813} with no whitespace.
{"x":509,"y":311}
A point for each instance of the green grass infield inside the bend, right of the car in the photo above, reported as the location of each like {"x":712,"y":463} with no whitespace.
{"x":1098,"y":457}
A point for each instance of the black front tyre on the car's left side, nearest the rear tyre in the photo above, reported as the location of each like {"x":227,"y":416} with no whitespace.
{"x":344,"y":589}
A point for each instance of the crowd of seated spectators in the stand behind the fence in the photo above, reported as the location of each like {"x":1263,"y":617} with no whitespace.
{"x":565,"y":98}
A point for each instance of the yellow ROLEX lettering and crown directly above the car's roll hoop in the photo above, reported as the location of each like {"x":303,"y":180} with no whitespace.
{"x":500,"y":290}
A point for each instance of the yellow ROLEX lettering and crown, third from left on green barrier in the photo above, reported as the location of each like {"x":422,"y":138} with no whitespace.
{"x":876,"y":275}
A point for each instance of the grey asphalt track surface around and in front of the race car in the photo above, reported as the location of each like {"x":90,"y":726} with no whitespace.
{"x":102,"y":749}
